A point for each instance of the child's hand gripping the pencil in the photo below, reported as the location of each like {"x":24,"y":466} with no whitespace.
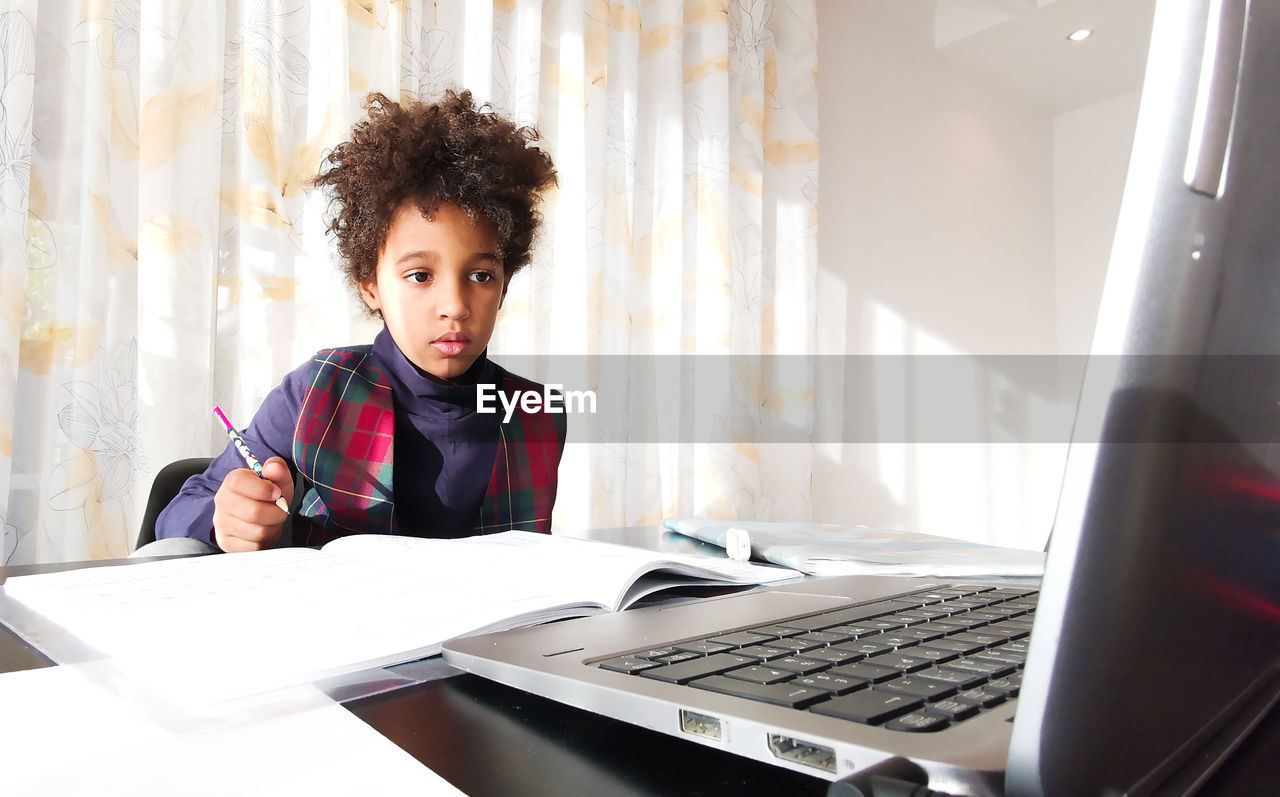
{"x":245,"y":512}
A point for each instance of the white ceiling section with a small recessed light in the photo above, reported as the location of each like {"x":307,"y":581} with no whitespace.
{"x":1020,"y":47}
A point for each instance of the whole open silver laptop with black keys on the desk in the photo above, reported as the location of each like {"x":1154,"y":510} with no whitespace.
{"x":1153,"y":645}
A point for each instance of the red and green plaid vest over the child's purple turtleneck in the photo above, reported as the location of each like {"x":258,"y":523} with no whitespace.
{"x":344,"y":446}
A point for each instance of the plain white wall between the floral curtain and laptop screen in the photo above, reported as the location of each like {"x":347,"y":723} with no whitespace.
{"x":943,"y":216}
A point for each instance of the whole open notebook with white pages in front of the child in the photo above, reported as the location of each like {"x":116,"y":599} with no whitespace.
{"x":204,"y":631}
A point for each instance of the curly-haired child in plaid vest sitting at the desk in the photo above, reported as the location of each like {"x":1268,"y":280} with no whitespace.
{"x":437,"y":209}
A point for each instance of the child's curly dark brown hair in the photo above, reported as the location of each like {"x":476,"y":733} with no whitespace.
{"x":433,"y":154}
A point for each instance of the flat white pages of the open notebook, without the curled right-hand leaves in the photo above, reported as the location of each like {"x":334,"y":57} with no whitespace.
{"x":216,"y":629}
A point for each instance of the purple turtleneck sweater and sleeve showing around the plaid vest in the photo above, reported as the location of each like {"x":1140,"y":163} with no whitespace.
{"x":445,"y":450}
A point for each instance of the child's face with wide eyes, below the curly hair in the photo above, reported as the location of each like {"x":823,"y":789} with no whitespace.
{"x":440,"y":286}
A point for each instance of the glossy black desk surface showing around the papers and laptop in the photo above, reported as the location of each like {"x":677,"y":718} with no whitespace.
{"x":488,"y":739}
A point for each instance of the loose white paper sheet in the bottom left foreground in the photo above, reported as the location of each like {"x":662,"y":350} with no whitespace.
{"x":63,"y":736}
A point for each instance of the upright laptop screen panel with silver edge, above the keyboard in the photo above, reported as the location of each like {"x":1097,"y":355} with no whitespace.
{"x":1163,"y":565}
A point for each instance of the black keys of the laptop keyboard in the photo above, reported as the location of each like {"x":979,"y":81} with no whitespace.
{"x":917,"y":663}
